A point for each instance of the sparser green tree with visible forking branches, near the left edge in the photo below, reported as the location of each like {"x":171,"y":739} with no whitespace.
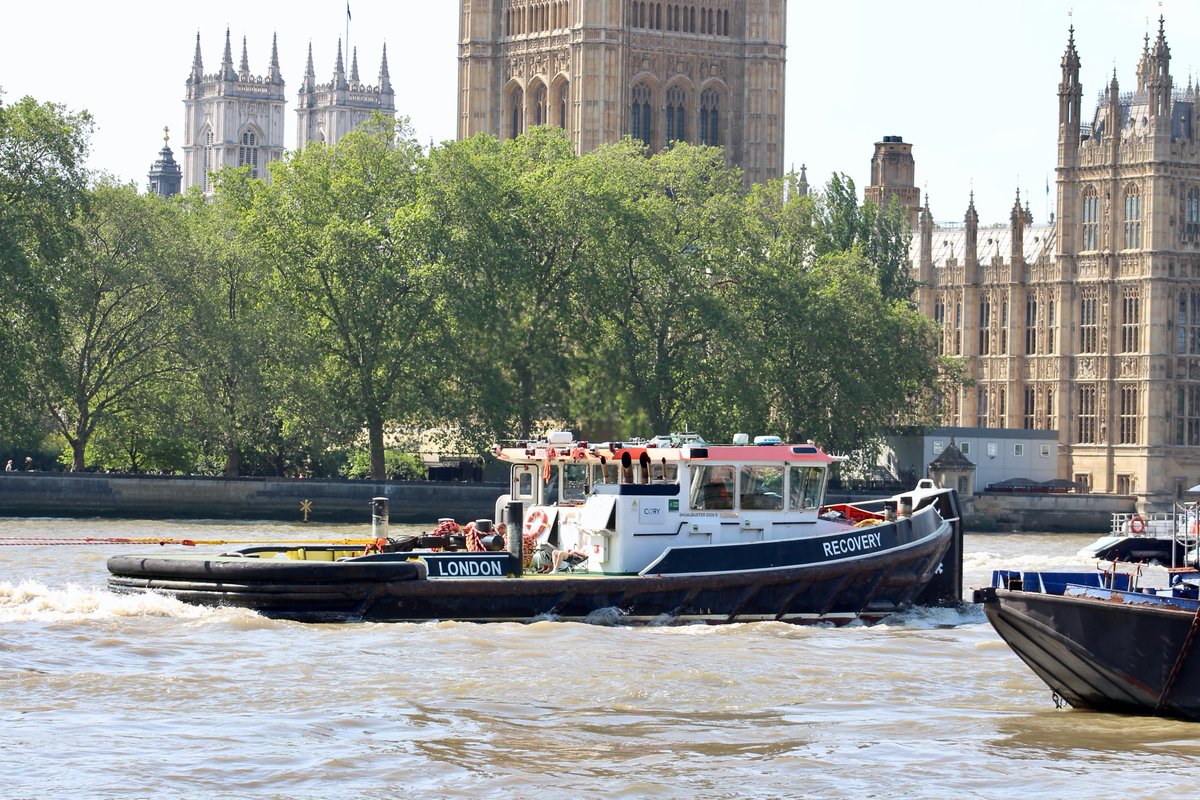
{"x":113,"y":333}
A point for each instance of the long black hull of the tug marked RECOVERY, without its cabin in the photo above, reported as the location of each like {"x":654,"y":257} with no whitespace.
{"x":868,"y":588}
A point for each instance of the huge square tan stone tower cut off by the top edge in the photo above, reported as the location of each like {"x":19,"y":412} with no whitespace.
{"x":700,"y":71}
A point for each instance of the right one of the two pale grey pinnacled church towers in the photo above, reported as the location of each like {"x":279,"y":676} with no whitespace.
{"x":328,"y":112}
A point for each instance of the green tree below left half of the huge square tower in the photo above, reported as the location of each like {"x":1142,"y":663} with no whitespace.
{"x":514,"y":220}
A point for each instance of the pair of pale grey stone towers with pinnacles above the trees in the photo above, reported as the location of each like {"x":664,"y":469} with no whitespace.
{"x":235,"y":119}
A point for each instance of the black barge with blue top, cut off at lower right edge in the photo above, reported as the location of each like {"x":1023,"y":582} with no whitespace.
{"x":1100,"y":641}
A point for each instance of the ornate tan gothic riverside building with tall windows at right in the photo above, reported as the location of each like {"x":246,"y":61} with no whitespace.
{"x":1089,"y":326}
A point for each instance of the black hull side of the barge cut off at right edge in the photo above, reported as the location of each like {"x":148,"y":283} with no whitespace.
{"x":1102,"y":654}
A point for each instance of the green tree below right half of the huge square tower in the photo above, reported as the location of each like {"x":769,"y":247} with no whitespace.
{"x":655,"y":299}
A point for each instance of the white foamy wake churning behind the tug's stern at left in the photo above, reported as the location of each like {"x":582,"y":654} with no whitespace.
{"x":34,"y":601}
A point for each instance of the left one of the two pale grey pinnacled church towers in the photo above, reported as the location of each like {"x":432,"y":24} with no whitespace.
{"x":232,"y":118}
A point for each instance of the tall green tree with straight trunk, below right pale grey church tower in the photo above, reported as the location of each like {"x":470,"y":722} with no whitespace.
{"x":346,"y":231}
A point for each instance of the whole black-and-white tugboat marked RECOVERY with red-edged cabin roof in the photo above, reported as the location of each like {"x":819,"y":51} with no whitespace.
{"x":663,"y":531}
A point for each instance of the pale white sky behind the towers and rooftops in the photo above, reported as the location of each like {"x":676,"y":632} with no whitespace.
{"x":973,"y":85}
